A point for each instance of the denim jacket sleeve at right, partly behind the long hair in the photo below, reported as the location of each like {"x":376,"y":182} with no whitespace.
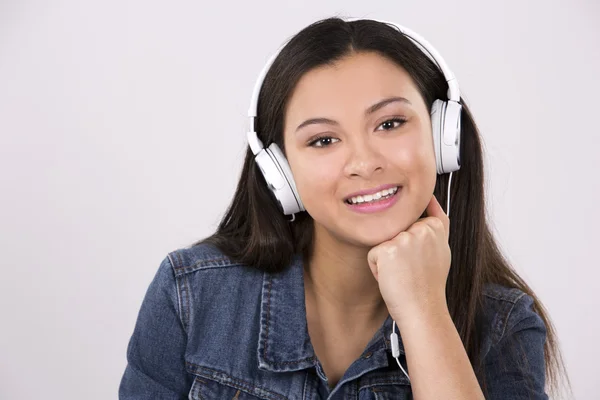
{"x":515,"y":365}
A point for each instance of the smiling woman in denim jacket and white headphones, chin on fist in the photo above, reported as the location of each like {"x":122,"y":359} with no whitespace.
{"x":336,"y":272}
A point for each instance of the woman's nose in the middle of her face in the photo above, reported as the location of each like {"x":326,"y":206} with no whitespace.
{"x":364,"y":159}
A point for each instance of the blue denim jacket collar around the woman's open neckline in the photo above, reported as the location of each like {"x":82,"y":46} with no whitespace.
{"x":284,"y":343}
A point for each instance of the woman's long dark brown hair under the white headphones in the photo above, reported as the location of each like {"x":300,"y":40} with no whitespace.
{"x":255,"y":232}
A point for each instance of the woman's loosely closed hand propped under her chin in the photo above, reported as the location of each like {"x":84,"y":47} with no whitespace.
{"x":412,"y":268}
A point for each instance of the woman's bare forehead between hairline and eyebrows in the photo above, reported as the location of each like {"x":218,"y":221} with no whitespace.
{"x":358,"y":80}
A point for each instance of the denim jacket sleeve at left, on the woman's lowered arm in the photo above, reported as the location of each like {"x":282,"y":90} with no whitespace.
{"x":155,"y":354}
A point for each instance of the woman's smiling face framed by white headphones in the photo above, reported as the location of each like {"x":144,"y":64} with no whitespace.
{"x":355,"y":126}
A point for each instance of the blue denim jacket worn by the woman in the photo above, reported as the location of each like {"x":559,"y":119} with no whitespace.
{"x":210,"y":328}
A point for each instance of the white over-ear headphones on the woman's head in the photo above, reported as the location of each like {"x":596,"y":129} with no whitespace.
{"x":445,"y":123}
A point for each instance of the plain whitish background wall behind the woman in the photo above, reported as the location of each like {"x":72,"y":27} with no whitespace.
{"x":122,"y":127}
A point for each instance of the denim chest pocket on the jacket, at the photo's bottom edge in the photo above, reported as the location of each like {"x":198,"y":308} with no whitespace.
{"x":207,"y":389}
